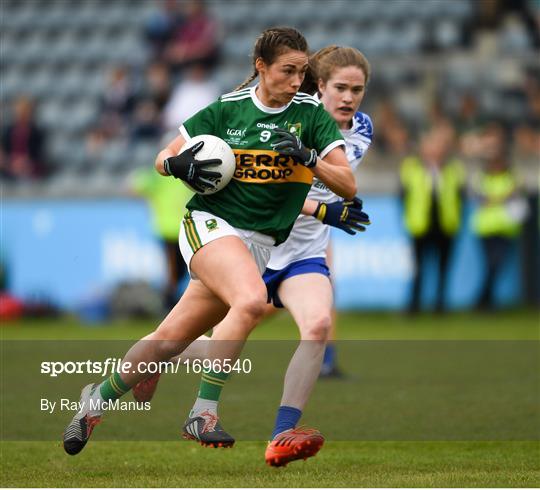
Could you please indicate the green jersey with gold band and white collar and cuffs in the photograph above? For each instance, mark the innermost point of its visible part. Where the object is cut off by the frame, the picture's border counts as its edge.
(268, 190)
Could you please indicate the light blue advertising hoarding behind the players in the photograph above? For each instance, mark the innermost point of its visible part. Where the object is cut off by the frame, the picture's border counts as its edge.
(69, 252)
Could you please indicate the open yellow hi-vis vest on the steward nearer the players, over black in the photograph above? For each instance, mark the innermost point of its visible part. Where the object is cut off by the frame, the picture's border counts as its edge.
(417, 183)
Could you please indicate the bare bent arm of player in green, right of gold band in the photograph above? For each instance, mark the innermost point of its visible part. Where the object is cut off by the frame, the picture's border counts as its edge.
(336, 173)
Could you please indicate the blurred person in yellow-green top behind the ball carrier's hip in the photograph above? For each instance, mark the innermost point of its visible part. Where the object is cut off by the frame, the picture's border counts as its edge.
(167, 199)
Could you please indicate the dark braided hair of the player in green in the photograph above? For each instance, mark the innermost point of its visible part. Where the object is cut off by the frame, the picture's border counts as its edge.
(270, 44)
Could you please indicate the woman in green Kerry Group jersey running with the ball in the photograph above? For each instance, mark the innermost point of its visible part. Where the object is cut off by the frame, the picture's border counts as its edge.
(227, 237)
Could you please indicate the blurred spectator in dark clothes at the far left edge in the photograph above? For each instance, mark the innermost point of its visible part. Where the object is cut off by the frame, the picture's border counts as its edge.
(22, 156)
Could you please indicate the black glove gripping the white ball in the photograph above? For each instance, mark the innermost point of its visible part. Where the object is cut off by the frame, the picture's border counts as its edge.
(192, 171)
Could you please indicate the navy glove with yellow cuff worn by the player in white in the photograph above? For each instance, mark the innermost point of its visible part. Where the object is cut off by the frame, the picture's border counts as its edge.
(345, 215)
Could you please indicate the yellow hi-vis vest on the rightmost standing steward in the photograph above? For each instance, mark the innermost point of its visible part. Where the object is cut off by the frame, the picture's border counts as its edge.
(493, 216)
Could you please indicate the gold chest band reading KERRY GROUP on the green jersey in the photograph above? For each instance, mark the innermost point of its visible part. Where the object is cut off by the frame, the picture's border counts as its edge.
(269, 167)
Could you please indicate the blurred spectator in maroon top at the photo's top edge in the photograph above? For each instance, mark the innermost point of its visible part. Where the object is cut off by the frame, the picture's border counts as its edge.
(195, 40)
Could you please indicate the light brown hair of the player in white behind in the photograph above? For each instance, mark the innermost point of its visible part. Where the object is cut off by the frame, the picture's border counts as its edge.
(326, 60)
